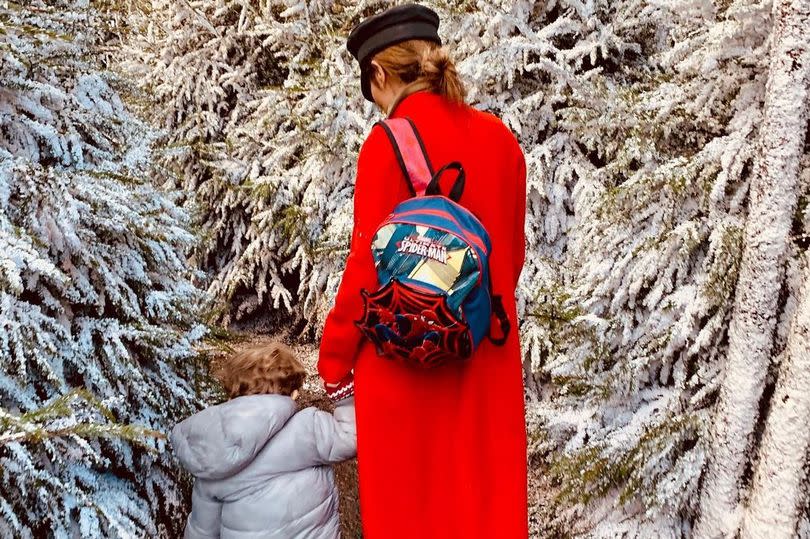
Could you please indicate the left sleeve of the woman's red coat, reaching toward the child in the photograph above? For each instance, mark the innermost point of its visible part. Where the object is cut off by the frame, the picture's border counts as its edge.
(373, 201)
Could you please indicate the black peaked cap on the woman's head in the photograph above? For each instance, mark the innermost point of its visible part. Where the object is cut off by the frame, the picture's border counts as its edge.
(392, 26)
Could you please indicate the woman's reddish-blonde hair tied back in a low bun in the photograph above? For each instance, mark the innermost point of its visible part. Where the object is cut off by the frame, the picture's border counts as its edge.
(422, 65)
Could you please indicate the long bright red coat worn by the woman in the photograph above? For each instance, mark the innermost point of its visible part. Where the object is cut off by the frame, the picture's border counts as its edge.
(441, 452)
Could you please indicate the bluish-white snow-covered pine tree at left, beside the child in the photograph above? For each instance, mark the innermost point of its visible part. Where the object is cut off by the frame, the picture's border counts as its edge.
(97, 310)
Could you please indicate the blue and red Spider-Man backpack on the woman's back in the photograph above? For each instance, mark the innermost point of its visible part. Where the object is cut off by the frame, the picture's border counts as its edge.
(435, 302)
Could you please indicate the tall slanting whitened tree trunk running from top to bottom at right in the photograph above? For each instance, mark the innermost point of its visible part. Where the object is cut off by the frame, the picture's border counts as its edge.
(773, 195)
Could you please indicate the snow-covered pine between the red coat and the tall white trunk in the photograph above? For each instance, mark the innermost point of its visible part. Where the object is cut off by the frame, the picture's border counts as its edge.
(636, 328)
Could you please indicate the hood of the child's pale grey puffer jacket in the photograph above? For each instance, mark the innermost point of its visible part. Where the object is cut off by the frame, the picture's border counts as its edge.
(220, 441)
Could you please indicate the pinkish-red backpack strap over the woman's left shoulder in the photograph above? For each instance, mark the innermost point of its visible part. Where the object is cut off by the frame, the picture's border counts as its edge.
(410, 152)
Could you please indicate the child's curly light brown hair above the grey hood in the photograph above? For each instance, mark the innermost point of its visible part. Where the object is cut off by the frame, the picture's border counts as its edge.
(266, 369)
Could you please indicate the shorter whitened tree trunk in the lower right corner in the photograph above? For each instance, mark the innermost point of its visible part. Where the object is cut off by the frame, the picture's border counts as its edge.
(777, 495)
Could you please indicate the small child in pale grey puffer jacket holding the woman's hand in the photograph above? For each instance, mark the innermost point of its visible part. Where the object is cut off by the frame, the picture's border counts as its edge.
(262, 467)
